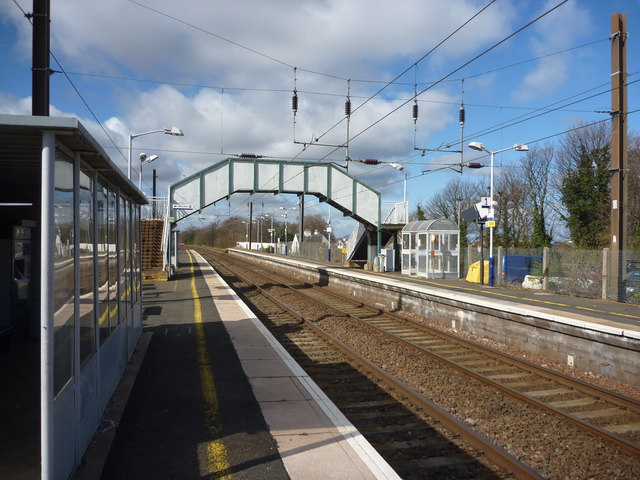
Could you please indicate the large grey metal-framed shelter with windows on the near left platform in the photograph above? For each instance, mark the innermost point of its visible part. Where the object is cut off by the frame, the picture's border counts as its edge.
(70, 297)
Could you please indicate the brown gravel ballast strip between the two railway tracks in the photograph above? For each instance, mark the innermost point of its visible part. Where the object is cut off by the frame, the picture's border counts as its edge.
(551, 446)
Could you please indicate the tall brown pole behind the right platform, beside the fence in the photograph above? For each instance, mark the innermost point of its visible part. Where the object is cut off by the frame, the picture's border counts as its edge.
(618, 154)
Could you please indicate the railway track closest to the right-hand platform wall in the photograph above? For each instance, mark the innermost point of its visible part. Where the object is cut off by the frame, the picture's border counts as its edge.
(613, 416)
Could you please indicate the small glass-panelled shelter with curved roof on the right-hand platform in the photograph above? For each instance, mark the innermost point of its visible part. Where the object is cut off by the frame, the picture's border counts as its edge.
(430, 249)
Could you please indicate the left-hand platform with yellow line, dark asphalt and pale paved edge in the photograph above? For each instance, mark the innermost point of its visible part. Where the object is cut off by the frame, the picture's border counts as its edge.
(215, 396)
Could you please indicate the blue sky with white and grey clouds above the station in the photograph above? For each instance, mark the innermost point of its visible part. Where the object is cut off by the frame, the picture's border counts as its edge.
(224, 73)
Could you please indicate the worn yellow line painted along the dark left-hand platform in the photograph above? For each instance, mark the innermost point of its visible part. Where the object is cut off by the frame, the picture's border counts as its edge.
(217, 458)
